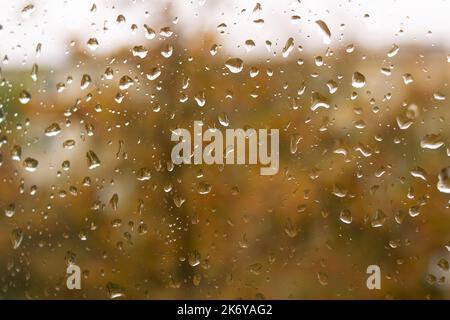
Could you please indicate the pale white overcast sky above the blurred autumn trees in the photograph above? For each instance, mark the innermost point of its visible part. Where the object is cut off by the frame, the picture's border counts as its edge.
(54, 23)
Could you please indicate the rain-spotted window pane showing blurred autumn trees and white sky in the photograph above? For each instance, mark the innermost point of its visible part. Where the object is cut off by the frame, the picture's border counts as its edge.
(89, 94)
